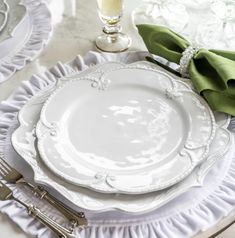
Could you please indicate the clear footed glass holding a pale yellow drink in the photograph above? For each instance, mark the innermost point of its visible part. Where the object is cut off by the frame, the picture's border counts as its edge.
(112, 39)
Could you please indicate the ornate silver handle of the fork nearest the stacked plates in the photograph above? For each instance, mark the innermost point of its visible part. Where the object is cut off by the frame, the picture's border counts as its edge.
(75, 218)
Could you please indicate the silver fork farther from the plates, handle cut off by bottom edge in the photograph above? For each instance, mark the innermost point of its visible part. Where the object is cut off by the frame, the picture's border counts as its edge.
(7, 194)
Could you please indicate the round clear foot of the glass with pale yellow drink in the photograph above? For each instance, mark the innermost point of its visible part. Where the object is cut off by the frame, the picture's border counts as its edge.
(116, 42)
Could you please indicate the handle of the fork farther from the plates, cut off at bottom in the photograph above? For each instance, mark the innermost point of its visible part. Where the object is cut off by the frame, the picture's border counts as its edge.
(54, 226)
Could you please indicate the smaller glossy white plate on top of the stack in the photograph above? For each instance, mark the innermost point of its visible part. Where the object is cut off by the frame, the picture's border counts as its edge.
(128, 130)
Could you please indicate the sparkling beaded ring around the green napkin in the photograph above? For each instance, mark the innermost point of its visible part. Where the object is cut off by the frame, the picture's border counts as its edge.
(187, 55)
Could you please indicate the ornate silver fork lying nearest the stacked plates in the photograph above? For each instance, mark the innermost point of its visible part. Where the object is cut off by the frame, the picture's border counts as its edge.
(11, 175)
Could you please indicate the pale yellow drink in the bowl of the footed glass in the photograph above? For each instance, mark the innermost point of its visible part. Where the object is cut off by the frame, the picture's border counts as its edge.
(110, 7)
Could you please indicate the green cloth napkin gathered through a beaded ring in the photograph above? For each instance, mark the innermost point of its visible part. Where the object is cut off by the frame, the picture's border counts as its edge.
(211, 71)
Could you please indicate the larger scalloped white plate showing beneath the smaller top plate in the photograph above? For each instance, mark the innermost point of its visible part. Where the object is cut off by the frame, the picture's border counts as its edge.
(24, 142)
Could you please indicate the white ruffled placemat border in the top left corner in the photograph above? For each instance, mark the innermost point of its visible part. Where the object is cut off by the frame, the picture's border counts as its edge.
(40, 18)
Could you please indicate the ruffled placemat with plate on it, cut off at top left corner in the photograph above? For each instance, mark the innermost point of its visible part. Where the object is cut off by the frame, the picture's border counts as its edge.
(23, 35)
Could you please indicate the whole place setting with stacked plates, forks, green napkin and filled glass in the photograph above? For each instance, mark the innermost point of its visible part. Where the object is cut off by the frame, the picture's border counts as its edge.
(123, 144)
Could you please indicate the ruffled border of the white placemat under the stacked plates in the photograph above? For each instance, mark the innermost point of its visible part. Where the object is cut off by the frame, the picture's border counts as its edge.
(185, 222)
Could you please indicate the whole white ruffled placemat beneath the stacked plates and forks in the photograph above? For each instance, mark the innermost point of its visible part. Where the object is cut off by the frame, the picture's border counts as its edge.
(195, 210)
